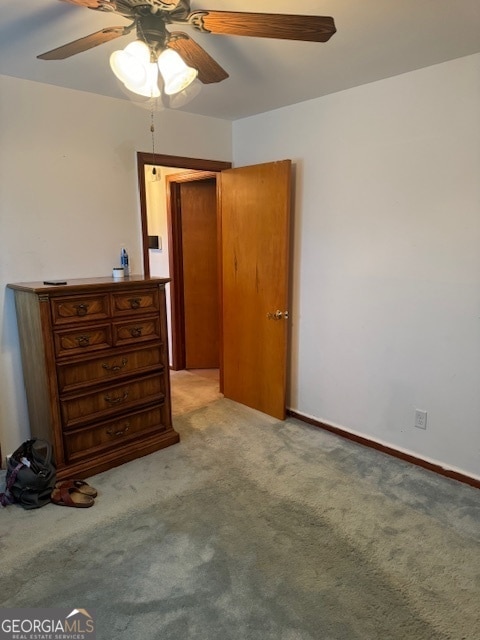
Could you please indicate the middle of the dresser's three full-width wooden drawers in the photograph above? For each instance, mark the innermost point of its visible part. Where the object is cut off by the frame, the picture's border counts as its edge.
(119, 397)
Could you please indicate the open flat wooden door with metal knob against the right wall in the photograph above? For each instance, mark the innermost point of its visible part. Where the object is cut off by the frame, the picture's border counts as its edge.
(255, 222)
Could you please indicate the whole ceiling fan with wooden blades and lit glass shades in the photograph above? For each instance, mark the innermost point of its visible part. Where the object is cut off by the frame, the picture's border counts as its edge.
(150, 18)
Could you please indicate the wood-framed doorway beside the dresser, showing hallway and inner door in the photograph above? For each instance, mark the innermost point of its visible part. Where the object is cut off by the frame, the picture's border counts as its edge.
(187, 253)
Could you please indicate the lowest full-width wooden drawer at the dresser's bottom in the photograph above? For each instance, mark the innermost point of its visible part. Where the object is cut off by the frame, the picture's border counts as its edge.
(85, 442)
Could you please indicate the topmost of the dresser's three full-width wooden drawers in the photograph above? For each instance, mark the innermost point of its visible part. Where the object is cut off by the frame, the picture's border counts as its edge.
(114, 364)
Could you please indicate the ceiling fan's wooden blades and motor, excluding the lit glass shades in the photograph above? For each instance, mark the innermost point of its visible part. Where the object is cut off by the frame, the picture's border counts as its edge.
(151, 17)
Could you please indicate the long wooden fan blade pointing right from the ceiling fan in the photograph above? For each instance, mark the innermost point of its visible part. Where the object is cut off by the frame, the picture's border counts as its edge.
(265, 25)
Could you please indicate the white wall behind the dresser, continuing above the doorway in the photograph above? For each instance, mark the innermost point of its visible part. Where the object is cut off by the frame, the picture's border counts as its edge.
(69, 197)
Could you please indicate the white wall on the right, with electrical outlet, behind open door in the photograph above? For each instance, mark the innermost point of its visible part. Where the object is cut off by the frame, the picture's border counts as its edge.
(386, 299)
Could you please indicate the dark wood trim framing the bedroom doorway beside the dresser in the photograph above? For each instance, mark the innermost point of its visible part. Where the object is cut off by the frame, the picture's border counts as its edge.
(143, 159)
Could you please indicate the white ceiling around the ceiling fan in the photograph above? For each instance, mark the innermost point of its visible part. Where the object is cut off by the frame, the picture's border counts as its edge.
(375, 39)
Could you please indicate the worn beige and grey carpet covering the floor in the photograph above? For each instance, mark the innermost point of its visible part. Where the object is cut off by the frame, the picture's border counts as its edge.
(255, 529)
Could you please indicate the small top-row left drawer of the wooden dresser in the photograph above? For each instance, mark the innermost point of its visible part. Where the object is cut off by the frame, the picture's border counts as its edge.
(85, 308)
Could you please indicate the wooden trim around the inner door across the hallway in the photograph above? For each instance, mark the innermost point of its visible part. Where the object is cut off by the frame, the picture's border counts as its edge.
(173, 183)
